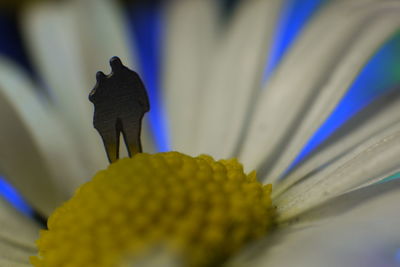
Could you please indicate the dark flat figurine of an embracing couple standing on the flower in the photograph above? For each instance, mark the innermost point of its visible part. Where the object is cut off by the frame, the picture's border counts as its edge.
(120, 102)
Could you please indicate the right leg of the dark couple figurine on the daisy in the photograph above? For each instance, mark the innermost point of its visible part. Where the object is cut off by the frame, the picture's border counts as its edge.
(131, 132)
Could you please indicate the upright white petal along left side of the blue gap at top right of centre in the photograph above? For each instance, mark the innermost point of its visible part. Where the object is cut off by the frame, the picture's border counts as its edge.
(234, 77)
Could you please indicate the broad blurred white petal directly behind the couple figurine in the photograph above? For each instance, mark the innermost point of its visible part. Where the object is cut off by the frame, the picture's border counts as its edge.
(68, 46)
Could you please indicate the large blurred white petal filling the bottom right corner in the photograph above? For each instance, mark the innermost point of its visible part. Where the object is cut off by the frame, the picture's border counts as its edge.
(364, 234)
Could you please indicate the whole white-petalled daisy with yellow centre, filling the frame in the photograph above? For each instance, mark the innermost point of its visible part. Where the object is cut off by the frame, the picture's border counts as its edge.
(229, 92)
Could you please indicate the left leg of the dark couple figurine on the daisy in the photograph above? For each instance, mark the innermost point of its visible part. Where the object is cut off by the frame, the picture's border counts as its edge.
(110, 135)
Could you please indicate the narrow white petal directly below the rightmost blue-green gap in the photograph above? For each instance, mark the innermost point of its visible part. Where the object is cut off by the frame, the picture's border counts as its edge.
(372, 120)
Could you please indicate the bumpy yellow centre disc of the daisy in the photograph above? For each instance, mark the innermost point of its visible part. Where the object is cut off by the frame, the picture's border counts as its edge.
(201, 210)
